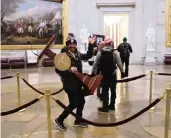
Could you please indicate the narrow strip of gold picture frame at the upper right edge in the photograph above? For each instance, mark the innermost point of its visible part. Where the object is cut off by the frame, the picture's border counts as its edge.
(168, 23)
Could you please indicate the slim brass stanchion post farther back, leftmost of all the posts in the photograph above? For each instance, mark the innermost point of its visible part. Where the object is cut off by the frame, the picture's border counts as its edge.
(18, 91)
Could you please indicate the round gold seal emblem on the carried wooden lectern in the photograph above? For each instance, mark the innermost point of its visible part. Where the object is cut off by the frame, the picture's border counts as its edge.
(62, 62)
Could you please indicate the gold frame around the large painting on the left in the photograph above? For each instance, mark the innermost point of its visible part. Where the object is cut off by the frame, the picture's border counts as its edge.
(36, 47)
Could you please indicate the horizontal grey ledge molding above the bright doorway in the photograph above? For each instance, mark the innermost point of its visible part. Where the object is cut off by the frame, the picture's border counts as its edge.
(100, 5)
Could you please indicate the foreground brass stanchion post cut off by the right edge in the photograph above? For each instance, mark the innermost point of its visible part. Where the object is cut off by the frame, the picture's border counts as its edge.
(167, 112)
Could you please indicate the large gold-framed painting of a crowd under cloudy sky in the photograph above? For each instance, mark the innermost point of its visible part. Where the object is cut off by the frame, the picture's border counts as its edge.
(29, 24)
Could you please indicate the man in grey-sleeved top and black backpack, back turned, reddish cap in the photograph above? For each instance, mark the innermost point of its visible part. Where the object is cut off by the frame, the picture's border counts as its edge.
(107, 59)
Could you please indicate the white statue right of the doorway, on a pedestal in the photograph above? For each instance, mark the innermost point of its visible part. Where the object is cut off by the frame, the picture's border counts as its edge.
(150, 38)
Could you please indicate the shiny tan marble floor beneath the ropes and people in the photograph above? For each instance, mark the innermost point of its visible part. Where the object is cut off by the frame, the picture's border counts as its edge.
(131, 98)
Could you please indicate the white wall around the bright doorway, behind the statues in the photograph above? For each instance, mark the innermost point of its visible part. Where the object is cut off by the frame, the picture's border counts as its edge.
(145, 11)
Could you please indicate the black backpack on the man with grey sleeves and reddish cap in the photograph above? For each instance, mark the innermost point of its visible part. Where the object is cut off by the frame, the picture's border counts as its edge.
(107, 63)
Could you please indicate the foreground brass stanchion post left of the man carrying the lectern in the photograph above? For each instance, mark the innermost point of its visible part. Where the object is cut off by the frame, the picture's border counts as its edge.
(48, 113)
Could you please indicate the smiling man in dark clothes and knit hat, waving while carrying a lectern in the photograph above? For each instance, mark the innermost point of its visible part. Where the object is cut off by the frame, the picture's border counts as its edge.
(72, 85)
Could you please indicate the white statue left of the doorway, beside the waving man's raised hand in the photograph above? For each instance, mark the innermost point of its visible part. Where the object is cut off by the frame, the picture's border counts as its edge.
(84, 36)
